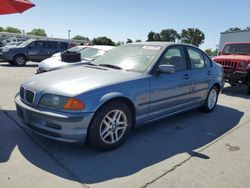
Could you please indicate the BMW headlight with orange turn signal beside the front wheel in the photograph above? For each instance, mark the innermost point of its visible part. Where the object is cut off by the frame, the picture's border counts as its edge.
(61, 102)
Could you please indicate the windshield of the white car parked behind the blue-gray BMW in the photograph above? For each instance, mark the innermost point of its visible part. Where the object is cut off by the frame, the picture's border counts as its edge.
(91, 53)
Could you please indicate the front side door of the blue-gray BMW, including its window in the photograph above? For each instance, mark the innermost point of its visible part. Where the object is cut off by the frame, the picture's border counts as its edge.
(171, 92)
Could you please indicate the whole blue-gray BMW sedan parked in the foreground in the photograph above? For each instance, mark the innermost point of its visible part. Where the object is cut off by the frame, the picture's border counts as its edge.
(100, 102)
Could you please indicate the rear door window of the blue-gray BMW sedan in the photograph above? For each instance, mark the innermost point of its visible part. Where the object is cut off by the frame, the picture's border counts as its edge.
(196, 58)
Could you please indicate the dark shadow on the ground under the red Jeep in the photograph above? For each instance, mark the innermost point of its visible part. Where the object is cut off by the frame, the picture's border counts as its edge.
(236, 91)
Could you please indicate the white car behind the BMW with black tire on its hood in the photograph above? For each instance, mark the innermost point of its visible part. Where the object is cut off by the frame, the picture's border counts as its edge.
(87, 54)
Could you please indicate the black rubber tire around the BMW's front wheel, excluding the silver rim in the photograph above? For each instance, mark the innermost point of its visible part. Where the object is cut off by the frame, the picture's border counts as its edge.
(94, 138)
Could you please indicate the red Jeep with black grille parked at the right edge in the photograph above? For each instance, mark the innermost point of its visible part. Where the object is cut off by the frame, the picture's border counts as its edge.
(235, 59)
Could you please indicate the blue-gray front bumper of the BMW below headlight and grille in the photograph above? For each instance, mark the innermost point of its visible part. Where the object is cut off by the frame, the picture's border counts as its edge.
(66, 127)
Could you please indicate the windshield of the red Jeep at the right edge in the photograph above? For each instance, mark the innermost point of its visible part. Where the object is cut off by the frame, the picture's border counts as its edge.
(237, 49)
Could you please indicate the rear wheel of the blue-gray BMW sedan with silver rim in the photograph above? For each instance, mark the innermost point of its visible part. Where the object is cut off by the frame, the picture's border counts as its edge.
(211, 100)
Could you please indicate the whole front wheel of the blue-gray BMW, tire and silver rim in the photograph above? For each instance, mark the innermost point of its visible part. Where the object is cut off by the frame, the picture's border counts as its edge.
(110, 126)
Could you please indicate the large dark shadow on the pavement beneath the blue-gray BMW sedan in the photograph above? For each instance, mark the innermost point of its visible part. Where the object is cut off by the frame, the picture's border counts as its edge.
(146, 146)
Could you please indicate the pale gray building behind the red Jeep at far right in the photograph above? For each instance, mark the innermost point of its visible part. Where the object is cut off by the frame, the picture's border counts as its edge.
(234, 36)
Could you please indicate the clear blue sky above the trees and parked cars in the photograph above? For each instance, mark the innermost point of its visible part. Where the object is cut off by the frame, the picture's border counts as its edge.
(122, 19)
